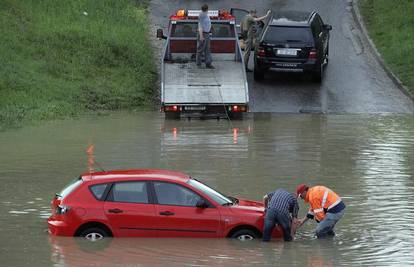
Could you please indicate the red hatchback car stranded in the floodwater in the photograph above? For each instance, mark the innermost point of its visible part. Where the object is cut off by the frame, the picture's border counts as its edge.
(151, 203)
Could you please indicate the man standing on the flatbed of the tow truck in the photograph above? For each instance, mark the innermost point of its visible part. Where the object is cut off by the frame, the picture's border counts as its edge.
(203, 41)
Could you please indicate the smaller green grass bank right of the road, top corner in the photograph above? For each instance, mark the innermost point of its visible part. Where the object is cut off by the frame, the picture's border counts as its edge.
(391, 26)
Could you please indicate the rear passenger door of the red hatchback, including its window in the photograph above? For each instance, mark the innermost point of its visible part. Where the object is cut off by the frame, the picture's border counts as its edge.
(129, 211)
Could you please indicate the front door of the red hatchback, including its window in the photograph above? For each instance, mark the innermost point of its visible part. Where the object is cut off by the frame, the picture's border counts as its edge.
(178, 215)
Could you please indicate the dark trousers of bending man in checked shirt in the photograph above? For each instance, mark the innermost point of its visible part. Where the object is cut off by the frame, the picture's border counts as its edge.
(274, 217)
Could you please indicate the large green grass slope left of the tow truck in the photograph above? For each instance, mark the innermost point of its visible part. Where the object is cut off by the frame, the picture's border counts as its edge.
(65, 58)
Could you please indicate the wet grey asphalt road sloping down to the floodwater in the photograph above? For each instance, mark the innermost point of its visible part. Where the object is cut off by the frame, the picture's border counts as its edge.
(354, 81)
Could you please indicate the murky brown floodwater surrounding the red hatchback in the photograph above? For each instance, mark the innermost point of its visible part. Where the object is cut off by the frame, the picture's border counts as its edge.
(368, 160)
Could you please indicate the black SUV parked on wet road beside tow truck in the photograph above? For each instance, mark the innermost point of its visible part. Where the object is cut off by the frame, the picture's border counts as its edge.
(292, 41)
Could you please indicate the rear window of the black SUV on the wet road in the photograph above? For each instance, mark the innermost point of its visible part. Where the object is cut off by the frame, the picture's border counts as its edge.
(283, 34)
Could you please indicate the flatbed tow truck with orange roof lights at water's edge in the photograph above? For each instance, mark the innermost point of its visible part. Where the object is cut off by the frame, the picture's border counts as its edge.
(190, 91)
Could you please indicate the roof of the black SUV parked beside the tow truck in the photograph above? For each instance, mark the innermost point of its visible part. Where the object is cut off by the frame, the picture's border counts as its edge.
(291, 18)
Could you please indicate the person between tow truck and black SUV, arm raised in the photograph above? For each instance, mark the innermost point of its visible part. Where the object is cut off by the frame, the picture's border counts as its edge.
(248, 33)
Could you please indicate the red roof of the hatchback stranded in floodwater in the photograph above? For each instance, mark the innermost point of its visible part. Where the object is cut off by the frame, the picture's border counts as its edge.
(147, 174)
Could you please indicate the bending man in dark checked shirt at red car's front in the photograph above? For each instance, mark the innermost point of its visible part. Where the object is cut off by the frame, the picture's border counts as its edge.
(282, 209)
